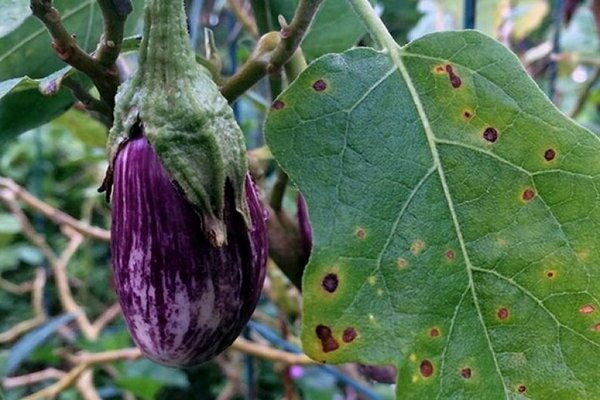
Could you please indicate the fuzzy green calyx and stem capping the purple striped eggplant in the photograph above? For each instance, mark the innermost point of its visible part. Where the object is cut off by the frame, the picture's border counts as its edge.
(184, 116)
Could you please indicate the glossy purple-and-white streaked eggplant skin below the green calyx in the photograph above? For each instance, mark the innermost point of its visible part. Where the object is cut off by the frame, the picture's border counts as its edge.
(184, 300)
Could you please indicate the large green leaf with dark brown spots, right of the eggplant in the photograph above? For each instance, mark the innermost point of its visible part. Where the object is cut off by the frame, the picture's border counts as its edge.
(456, 219)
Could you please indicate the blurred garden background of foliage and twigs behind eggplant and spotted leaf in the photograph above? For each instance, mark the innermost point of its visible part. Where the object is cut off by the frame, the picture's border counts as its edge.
(57, 301)
